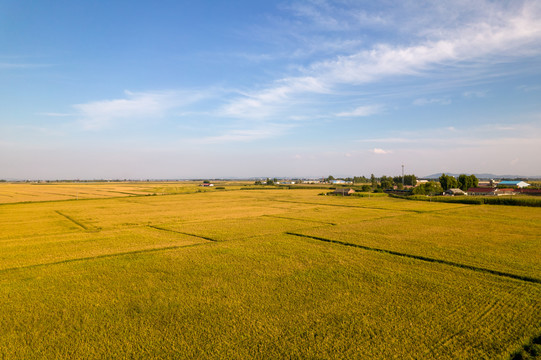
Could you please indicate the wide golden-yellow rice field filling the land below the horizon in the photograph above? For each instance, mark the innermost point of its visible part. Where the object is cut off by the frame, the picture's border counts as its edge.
(103, 271)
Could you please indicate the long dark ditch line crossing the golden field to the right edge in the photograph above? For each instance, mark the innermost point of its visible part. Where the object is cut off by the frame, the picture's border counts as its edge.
(424, 258)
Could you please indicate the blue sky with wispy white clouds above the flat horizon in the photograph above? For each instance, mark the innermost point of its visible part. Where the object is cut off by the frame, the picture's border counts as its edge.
(251, 88)
